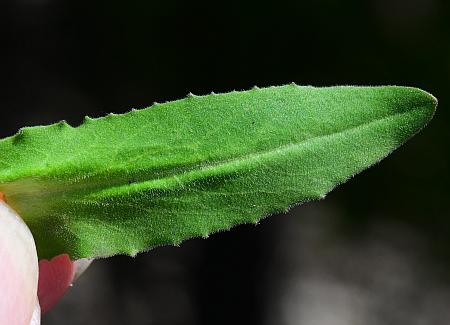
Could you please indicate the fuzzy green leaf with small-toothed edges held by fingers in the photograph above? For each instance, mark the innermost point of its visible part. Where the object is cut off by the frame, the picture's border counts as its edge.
(127, 183)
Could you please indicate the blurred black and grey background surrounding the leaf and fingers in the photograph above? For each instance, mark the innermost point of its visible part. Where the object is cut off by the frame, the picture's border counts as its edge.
(375, 251)
